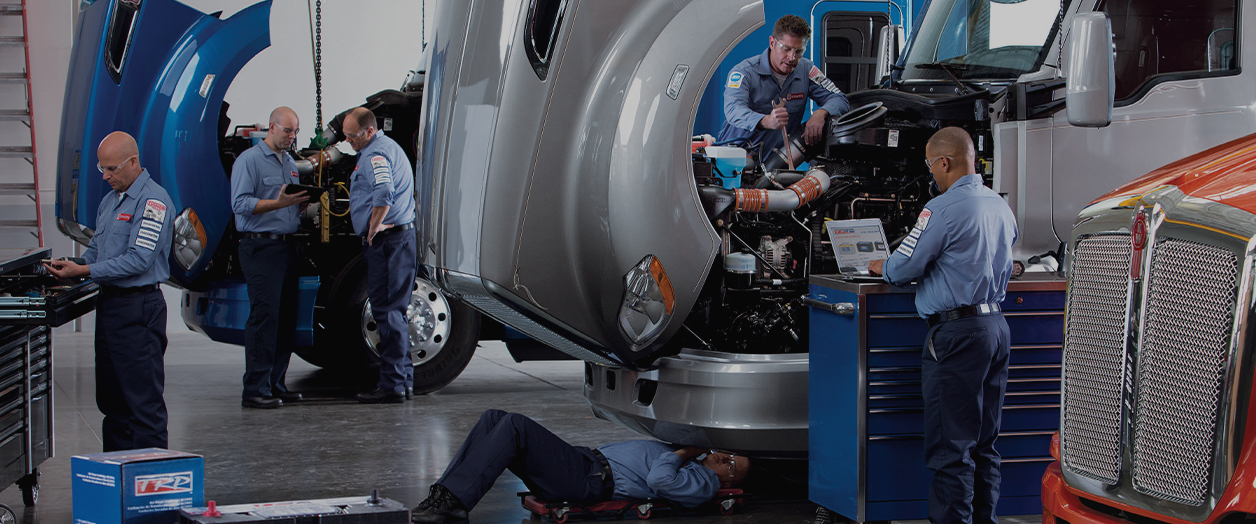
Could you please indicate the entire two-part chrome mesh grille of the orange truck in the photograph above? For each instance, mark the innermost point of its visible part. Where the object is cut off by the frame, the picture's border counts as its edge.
(1164, 403)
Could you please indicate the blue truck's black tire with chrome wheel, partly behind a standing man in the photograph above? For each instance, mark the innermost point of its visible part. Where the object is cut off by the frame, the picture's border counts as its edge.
(444, 332)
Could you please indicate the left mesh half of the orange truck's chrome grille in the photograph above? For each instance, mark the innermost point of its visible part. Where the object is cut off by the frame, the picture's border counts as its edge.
(1095, 341)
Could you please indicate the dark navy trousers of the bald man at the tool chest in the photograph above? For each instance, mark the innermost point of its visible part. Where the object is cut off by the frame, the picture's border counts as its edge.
(131, 370)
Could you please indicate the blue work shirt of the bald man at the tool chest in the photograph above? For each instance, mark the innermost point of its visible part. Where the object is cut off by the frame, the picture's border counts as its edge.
(131, 246)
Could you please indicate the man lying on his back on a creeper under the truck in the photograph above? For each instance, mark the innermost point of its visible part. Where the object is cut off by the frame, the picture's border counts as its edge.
(560, 472)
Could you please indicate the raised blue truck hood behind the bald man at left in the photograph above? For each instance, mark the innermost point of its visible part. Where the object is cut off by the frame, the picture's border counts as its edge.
(159, 71)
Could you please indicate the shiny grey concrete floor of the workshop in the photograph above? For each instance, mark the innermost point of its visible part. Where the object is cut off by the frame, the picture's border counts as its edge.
(333, 447)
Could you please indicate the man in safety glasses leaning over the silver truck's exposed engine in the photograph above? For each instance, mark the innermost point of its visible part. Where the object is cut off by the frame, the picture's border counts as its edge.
(781, 72)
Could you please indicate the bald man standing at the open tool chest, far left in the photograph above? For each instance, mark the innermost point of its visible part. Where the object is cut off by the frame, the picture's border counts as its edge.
(129, 257)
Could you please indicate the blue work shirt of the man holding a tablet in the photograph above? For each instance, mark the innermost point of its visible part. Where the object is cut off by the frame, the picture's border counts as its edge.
(258, 175)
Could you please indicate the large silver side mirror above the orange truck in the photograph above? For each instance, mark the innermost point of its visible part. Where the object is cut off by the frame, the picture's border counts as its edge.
(1091, 84)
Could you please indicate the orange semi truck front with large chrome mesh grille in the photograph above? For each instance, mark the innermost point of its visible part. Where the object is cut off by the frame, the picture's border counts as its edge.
(1157, 417)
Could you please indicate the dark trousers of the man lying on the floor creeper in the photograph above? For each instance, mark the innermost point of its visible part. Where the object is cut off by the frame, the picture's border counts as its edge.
(551, 468)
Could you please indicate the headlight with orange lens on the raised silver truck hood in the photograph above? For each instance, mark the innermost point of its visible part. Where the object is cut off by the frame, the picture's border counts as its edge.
(649, 302)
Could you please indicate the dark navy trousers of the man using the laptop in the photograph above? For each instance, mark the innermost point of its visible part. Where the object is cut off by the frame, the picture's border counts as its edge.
(964, 390)
